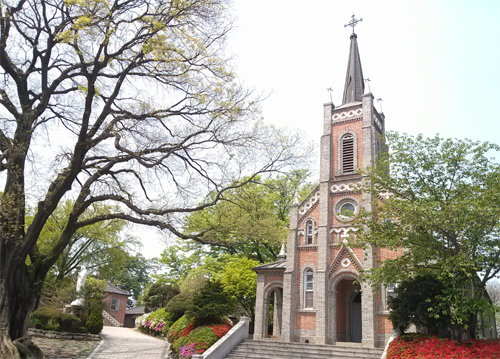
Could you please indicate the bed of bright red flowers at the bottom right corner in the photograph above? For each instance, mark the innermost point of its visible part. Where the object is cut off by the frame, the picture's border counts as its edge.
(424, 347)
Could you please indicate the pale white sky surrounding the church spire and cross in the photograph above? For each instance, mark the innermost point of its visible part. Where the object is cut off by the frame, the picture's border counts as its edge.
(434, 63)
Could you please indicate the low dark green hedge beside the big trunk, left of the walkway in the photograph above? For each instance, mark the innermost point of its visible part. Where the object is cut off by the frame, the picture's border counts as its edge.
(50, 318)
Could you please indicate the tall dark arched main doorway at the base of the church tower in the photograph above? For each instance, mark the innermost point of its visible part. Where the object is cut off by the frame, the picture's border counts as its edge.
(348, 311)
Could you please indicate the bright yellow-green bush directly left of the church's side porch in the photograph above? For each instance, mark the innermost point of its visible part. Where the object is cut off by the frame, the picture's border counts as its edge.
(240, 281)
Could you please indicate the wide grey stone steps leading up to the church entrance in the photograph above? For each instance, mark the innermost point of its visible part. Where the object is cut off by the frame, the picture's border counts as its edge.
(257, 349)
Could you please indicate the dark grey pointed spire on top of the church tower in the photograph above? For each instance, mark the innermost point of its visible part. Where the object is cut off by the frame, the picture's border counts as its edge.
(354, 83)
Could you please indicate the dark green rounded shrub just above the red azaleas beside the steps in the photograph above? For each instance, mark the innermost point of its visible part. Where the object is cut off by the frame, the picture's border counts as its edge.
(211, 304)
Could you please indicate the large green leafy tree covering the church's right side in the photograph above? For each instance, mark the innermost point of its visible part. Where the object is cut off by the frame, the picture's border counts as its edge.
(441, 206)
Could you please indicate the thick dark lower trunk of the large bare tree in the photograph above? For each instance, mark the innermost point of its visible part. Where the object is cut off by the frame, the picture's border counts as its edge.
(17, 298)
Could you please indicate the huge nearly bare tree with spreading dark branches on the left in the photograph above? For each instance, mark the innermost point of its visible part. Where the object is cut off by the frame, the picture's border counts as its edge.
(123, 102)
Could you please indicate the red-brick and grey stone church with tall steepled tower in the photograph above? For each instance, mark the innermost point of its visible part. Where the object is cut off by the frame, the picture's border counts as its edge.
(313, 289)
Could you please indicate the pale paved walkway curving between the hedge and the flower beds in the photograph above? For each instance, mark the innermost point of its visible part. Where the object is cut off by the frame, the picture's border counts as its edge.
(125, 343)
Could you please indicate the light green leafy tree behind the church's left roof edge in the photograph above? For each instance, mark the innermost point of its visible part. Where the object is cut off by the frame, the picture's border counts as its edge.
(251, 220)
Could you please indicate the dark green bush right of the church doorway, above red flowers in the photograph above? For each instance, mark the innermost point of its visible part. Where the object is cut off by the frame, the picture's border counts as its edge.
(413, 303)
